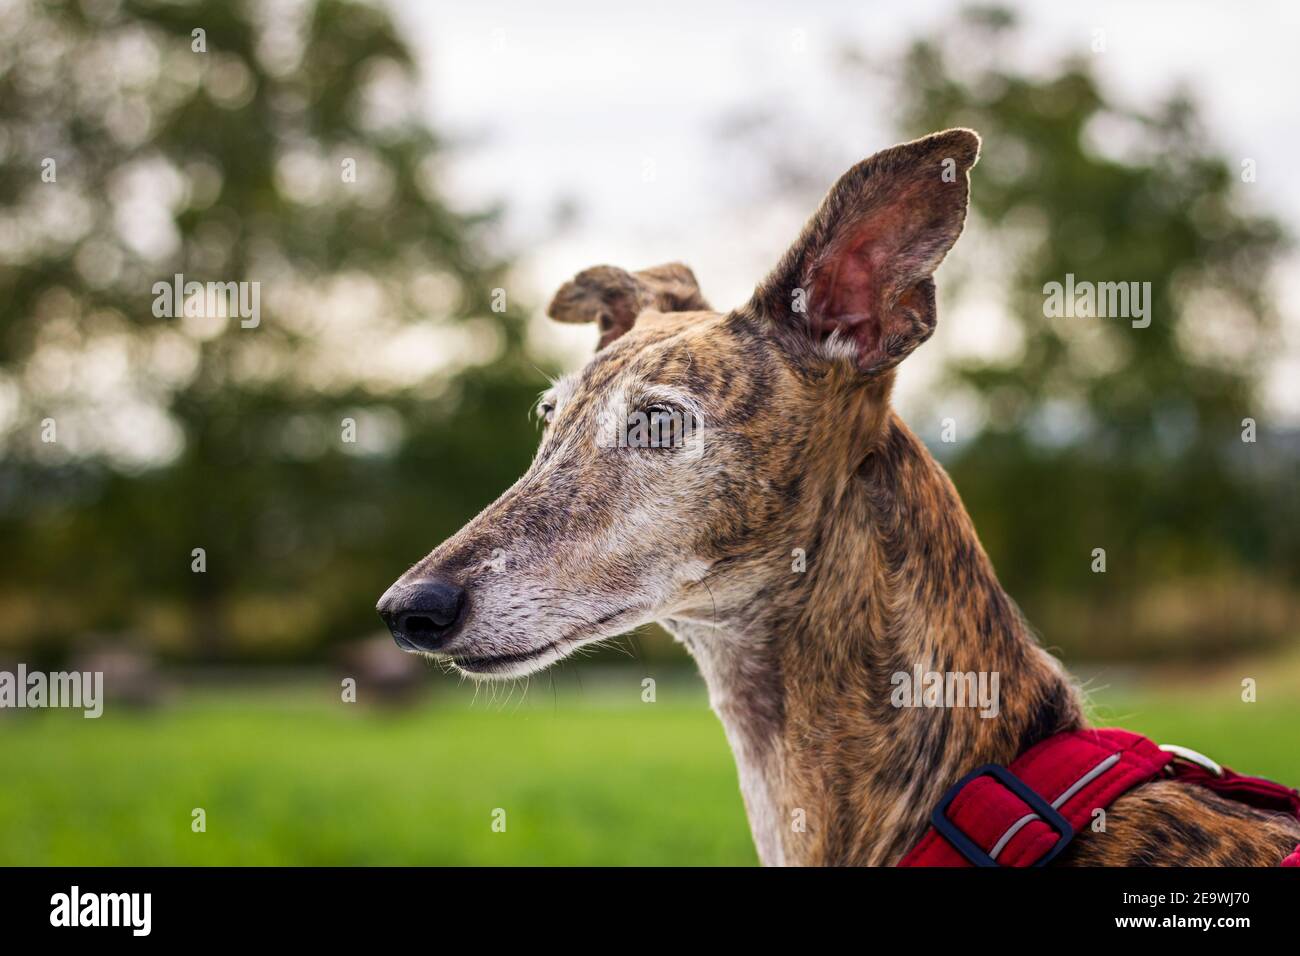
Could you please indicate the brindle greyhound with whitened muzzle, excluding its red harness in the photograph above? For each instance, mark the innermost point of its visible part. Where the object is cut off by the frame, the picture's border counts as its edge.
(782, 442)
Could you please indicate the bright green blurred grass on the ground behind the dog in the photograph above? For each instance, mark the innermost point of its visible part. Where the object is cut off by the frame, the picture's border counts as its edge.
(294, 777)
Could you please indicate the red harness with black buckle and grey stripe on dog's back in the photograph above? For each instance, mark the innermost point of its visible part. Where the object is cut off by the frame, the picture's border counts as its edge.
(1028, 814)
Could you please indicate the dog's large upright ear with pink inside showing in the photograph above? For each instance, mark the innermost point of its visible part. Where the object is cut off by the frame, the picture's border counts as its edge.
(863, 267)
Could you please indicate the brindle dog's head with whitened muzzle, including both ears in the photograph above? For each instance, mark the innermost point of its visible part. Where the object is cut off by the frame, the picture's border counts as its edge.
(681, 468)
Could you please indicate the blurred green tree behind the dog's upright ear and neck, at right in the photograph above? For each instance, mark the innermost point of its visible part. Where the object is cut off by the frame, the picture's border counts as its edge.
(1102, 434)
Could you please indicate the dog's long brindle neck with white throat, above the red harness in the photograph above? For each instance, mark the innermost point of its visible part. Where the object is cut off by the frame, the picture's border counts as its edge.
(803, 678)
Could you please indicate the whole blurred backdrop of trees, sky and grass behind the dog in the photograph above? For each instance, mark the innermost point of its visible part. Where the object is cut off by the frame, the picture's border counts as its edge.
(409, 184)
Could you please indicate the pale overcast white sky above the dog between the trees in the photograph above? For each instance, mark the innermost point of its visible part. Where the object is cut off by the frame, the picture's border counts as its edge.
(617, 109)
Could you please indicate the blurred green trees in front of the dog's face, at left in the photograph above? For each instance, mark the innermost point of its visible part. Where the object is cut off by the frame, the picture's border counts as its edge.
(280, 145)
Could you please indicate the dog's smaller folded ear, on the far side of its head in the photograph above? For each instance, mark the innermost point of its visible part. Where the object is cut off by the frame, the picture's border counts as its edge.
(613, 299)
